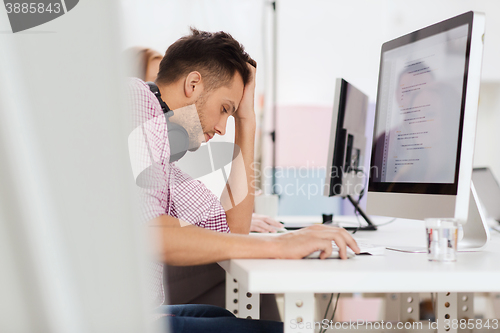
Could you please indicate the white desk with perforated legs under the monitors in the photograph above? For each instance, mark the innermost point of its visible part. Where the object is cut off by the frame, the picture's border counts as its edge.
(393, 273)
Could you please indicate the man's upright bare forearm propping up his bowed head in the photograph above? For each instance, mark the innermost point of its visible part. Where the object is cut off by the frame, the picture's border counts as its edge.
(238, 196)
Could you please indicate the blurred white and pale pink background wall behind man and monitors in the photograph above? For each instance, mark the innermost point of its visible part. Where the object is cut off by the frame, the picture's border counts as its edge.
(318, 41)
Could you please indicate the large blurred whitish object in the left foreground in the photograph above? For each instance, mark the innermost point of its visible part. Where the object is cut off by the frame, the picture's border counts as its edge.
(71, 256)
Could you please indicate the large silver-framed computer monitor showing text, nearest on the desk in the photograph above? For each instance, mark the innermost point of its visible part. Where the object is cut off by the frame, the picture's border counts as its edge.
(425, 124)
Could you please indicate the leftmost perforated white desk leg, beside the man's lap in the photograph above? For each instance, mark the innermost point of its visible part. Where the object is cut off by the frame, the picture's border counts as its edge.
(239, 301)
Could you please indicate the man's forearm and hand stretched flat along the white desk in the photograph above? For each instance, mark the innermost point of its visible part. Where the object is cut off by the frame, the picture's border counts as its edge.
(192, 245)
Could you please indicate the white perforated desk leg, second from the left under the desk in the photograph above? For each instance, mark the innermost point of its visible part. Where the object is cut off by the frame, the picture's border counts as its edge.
(299, 313)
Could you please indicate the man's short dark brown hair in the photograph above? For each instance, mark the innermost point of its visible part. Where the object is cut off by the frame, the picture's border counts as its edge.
(217, 56)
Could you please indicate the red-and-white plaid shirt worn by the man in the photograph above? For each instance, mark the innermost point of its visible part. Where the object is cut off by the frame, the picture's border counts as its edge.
(165, 189)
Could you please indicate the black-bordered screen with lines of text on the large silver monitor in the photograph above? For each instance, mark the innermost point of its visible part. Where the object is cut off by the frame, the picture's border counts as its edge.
(420, 111)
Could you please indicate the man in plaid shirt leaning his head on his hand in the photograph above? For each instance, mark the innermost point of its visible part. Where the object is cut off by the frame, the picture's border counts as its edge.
(212, 75)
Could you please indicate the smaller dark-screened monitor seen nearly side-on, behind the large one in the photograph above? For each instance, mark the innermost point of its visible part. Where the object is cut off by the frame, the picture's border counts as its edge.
(345, 176)
